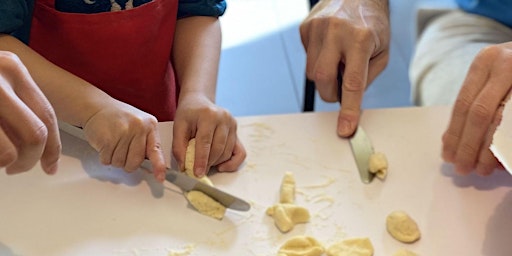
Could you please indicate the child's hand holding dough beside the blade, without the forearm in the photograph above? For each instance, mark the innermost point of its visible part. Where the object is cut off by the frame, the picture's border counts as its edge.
(215, 131)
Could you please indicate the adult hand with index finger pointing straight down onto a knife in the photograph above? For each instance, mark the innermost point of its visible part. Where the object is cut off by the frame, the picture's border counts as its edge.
(349, 36)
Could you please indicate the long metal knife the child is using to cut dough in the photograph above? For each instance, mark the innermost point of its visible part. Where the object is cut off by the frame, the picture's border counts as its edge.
(179, 179)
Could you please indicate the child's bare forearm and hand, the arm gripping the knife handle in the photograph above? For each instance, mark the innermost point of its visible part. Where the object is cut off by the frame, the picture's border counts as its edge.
(122, 134)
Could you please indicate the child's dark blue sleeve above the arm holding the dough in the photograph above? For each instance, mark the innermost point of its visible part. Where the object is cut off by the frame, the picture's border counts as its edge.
(213, 8)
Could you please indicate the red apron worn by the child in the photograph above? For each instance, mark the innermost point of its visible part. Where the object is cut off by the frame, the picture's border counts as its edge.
(124, 53)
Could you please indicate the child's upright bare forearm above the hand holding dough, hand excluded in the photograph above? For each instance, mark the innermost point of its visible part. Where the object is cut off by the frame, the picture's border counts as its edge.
(196, 54)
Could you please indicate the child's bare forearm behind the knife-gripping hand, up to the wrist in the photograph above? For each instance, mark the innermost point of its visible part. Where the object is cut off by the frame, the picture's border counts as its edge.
(73, 99)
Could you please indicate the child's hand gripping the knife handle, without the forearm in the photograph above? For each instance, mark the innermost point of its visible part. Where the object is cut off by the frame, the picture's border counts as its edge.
(124, 136)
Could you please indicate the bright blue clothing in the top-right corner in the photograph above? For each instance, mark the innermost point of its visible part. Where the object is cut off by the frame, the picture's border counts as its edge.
(499, 10)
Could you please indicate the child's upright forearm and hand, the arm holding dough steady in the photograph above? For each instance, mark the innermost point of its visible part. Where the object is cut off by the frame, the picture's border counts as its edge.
(196, 54)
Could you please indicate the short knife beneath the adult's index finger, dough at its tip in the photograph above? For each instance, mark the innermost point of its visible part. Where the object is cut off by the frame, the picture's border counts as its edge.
(360, 144)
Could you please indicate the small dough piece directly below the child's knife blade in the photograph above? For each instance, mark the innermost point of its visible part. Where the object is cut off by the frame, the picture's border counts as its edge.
(205, 204)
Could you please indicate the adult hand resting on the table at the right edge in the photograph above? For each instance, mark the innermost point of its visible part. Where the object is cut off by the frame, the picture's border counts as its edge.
(478, 111)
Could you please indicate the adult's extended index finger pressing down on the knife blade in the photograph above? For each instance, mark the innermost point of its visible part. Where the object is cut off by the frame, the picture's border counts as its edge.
(354, 84)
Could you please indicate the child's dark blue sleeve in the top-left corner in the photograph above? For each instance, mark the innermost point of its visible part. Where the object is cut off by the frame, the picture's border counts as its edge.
(16, 17)
